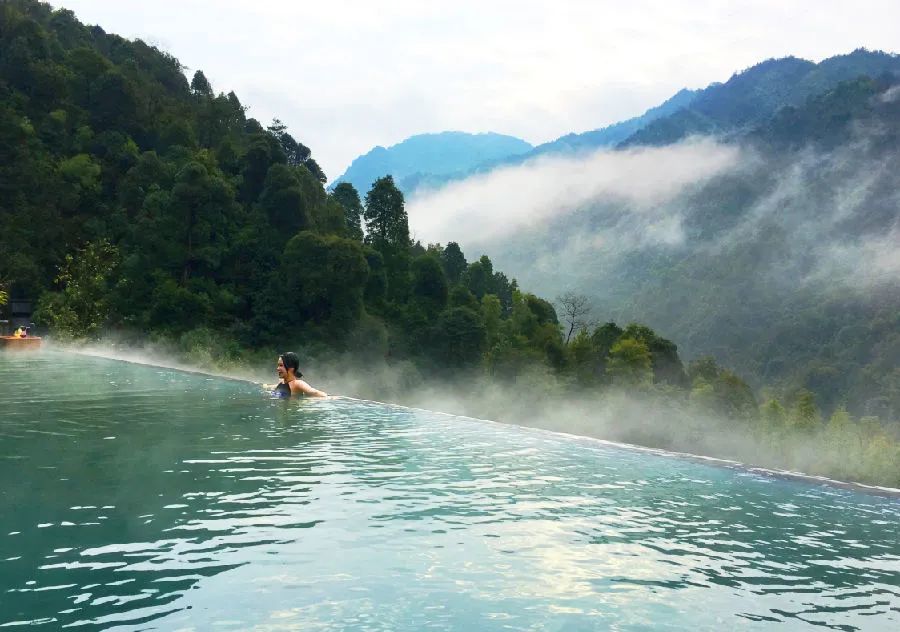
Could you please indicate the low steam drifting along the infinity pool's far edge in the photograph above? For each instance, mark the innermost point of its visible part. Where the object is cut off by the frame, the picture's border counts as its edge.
(537, 399)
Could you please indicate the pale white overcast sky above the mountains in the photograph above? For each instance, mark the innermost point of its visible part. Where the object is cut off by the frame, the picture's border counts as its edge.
(348, 75)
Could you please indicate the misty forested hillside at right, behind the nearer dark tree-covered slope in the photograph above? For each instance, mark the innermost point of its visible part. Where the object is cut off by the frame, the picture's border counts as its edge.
(784, 265)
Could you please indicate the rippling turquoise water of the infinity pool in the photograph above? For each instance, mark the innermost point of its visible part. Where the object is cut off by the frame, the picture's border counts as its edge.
(138, 498)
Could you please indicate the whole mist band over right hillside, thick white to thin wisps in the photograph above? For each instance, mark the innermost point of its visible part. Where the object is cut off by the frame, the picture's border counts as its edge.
(814, 216)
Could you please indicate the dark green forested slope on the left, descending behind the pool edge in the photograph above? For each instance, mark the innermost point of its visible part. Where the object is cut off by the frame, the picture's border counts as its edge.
(138, 205)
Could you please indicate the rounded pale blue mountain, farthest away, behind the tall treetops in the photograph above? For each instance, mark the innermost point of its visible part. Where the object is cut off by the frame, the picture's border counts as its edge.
(425, 156)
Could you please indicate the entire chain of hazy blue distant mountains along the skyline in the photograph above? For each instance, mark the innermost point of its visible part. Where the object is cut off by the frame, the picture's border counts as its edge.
(747, 99)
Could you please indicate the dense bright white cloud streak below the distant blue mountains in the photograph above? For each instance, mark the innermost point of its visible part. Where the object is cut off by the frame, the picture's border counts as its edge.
(643, 180)
